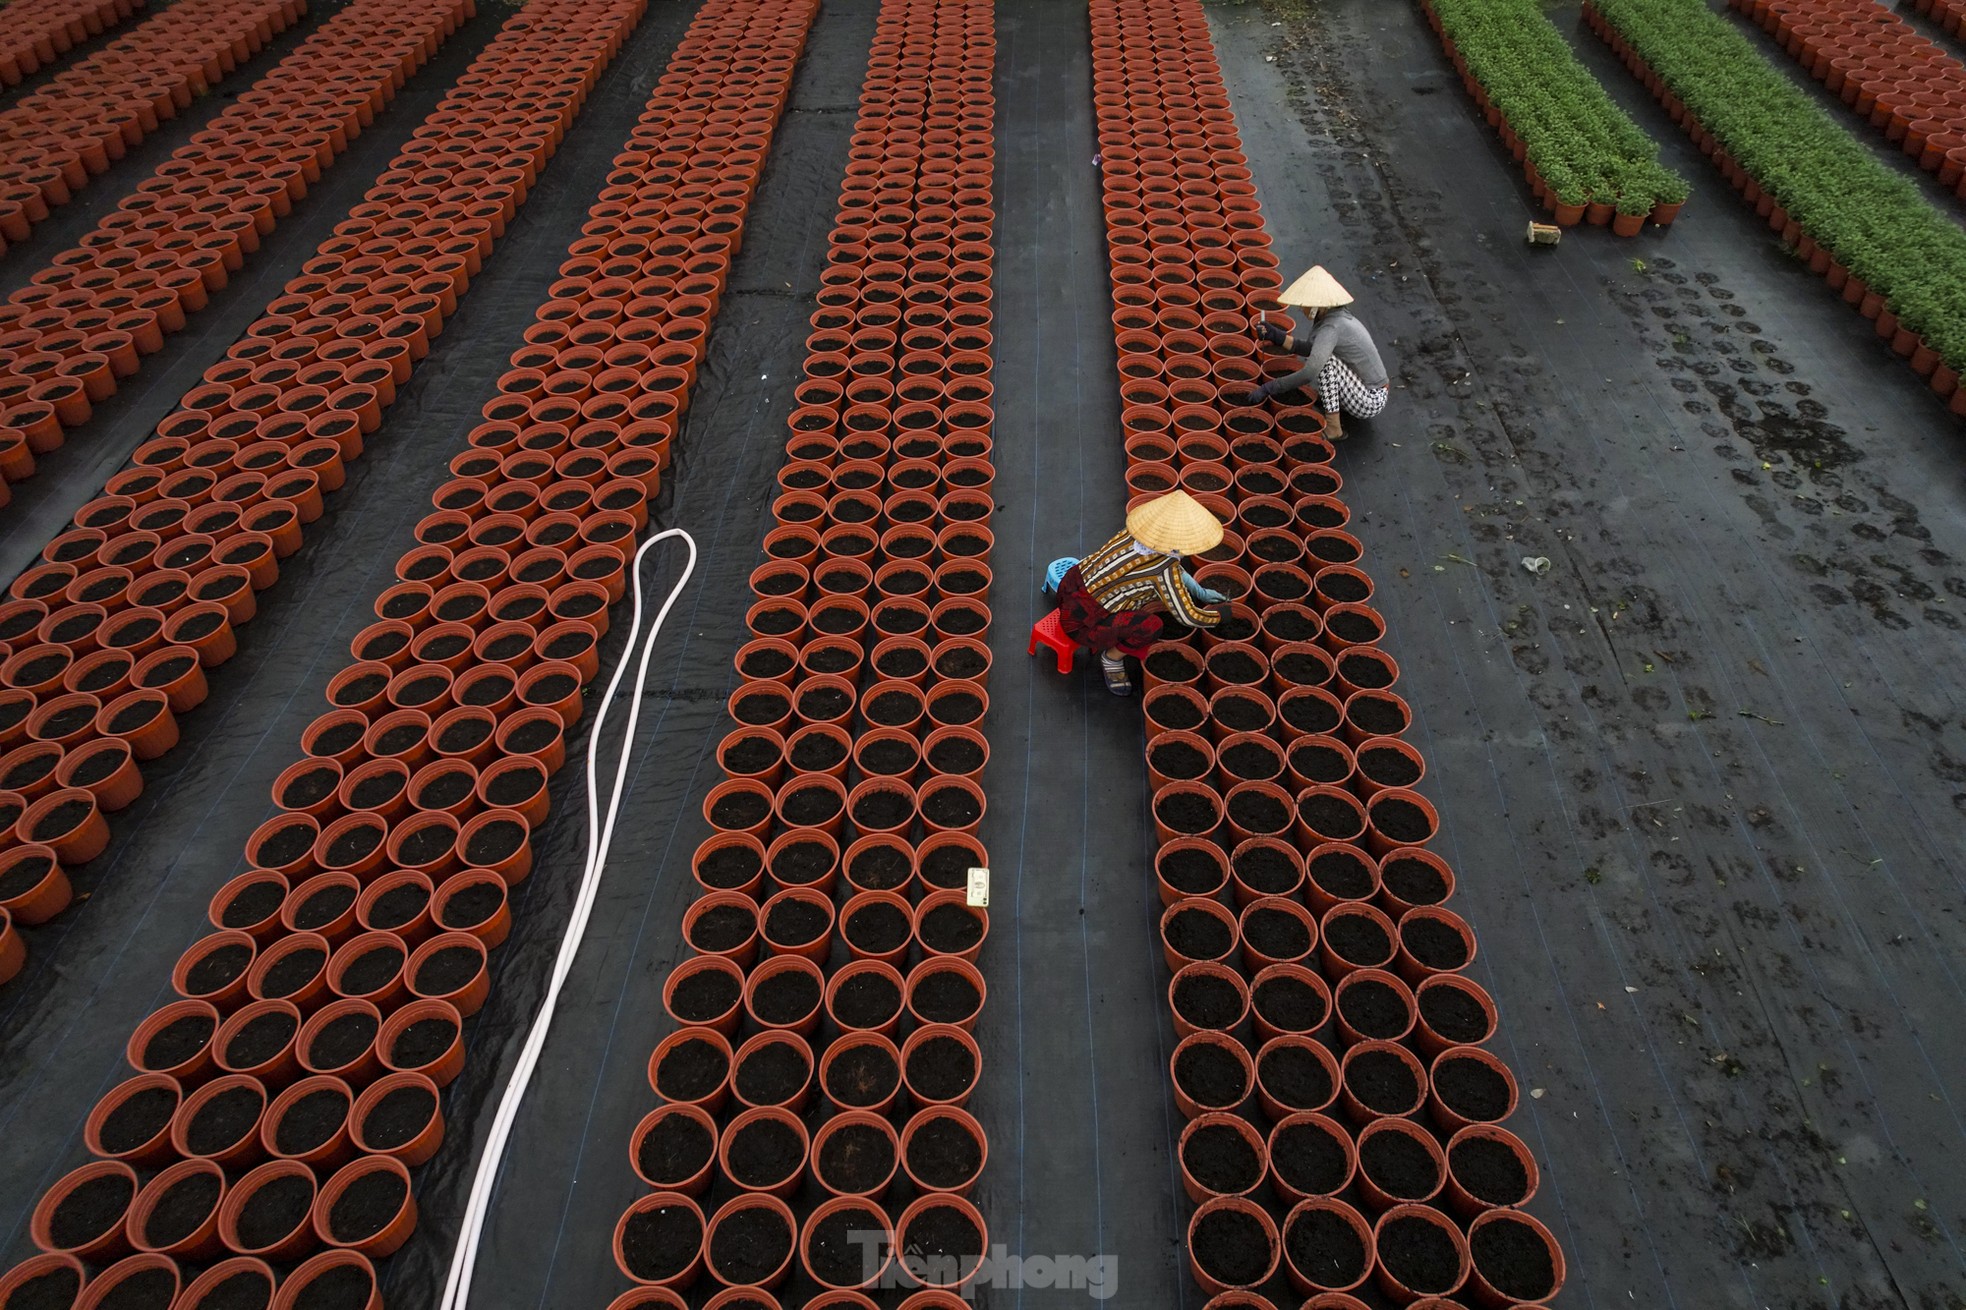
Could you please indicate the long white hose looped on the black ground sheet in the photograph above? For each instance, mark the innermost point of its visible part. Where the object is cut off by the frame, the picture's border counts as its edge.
(601, 837)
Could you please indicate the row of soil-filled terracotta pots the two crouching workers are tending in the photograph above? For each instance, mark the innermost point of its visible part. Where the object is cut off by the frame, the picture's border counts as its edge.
(1293, 691)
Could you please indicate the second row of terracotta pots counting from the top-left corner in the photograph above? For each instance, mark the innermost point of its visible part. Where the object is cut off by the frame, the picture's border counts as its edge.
(89, 115)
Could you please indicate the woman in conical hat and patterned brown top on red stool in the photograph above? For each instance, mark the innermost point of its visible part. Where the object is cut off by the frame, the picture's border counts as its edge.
(1114, 599)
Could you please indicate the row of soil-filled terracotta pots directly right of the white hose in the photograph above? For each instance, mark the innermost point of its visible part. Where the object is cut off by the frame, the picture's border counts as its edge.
(844, 827)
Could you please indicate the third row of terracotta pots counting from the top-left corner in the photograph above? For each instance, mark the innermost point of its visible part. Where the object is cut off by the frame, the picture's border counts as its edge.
(80, 326)
